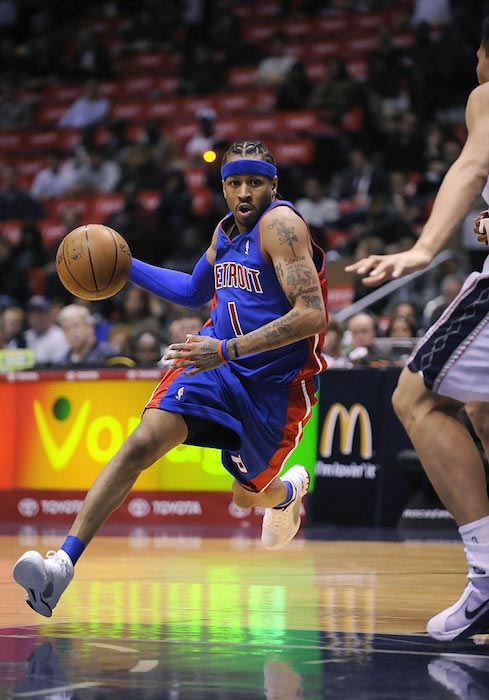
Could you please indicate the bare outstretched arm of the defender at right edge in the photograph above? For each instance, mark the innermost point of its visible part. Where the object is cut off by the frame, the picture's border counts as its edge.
(458, 192)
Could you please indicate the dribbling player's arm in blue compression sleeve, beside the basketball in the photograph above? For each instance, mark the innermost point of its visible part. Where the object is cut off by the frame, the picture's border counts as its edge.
(190, 290)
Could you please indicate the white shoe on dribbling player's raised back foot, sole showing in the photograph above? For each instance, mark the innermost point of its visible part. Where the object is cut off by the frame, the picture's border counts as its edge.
(280, 525)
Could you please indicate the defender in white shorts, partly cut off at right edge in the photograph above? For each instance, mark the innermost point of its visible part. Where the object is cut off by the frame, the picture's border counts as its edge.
(449, 367)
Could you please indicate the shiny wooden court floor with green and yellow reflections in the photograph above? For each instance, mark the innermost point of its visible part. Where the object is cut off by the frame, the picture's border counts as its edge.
(173, 615)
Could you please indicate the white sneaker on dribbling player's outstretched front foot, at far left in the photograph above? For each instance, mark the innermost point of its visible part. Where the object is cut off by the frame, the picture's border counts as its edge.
(43, 579)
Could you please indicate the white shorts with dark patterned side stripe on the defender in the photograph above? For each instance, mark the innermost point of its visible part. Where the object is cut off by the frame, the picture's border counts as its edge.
(453, 356)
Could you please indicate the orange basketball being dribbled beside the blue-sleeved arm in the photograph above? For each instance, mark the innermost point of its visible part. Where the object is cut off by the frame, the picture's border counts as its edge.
(93, 262)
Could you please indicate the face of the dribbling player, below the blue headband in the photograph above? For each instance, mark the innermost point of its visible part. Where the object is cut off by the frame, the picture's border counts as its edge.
(247, 197)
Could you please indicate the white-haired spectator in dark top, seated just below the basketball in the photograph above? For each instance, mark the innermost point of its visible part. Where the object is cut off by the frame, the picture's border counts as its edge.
(78, 327)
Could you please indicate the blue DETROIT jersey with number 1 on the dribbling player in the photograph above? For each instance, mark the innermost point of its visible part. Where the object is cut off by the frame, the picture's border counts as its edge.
(248, 295)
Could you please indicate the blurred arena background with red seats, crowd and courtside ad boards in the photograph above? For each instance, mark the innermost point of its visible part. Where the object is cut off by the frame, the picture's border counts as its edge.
(115, 112)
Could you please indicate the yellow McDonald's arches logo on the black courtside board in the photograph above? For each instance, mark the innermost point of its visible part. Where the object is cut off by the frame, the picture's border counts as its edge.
(348, 421)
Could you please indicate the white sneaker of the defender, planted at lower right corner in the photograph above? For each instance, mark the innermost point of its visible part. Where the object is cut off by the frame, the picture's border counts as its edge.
(468, 616)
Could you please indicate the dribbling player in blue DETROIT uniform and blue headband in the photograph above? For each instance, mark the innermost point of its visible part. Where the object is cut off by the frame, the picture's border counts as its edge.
(245, 384)
